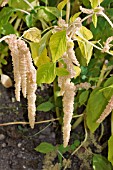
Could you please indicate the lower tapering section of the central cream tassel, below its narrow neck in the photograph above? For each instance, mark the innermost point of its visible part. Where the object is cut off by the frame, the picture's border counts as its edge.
(68, 107)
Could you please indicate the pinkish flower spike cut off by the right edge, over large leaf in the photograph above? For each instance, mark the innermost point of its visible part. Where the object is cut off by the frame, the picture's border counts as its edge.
(107, 111)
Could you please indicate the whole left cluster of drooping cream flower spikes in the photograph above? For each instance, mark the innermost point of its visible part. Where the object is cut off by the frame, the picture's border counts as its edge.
(24, 73)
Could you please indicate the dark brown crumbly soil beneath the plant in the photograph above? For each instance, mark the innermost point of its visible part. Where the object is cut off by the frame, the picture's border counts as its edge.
(17, 142)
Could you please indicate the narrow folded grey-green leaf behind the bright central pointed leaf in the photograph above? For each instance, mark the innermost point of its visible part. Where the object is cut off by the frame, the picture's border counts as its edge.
(43, 42)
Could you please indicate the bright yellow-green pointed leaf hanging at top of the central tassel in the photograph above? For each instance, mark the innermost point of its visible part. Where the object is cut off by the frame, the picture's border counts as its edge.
(58, 45)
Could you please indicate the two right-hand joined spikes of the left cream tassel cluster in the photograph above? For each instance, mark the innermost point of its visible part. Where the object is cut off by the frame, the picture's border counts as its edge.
(28, 74)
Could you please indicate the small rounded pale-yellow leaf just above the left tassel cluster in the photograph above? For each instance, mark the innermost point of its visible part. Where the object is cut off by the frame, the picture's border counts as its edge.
(33, 34)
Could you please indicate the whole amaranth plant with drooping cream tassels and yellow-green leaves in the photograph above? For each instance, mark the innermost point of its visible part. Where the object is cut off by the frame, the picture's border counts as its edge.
(60, 53)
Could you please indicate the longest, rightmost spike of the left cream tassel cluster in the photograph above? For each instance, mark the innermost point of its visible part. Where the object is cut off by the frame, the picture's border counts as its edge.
(31, 81)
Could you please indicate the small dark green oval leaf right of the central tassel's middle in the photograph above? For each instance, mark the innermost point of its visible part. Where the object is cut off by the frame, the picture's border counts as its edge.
(83, 97)
